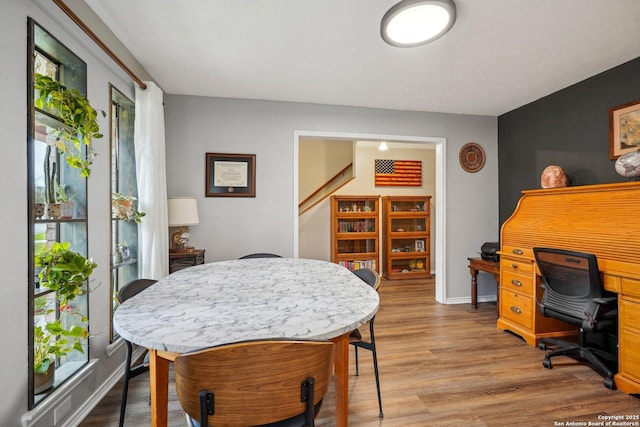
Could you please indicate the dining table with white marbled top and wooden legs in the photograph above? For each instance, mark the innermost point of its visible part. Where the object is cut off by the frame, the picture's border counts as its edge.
(230, 301)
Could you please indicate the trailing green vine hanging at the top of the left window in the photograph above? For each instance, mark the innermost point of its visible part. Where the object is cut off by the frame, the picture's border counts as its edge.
(78, 116)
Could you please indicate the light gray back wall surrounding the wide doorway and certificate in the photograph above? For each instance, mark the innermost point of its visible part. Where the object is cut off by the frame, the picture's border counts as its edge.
(231, 227)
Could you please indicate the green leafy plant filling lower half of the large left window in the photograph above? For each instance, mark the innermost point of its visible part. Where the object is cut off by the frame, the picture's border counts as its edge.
(65, 272)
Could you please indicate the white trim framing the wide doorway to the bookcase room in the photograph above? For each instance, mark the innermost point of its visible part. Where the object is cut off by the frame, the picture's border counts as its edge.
(434, 143)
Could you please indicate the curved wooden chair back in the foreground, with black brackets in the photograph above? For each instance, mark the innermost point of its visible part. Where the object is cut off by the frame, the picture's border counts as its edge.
(255, 382)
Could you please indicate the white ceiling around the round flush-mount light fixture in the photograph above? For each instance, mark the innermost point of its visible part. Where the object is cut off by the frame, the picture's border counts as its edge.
(500, 54)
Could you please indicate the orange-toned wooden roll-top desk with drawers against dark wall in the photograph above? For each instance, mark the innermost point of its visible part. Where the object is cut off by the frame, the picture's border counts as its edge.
(599, 219)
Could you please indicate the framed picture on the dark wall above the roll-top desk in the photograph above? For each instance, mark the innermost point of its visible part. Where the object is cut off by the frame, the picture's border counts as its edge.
(624, 129)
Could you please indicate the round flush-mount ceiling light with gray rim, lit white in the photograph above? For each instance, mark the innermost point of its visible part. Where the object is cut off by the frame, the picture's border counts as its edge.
(416, 22)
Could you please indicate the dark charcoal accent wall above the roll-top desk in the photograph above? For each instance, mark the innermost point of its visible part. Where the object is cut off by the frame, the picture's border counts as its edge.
(569, 128)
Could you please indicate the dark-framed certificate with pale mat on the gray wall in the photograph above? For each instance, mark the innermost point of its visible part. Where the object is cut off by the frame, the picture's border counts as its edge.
(230, 175)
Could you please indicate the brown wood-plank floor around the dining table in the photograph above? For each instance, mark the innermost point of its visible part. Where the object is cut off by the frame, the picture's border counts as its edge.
(440, 365)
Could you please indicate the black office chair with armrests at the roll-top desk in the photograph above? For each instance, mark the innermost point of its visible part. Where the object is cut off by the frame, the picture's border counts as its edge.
(573, 293)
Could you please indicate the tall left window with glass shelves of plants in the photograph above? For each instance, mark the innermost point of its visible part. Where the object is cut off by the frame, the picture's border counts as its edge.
(58, 332)
